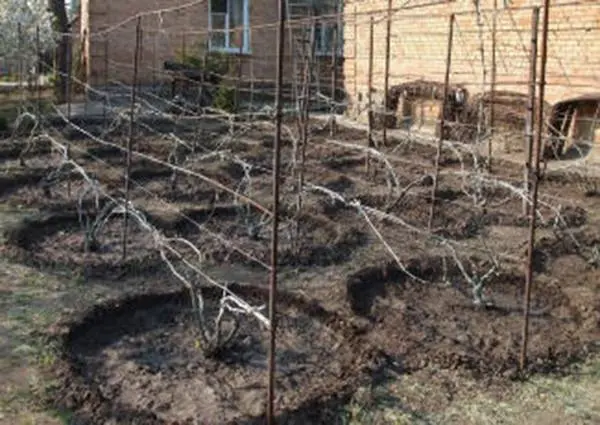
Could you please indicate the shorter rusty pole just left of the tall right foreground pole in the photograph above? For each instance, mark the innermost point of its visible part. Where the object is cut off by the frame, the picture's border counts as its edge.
(529, 130)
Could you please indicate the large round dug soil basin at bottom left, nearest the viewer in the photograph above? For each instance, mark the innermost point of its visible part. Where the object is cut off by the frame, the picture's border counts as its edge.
(139, 358)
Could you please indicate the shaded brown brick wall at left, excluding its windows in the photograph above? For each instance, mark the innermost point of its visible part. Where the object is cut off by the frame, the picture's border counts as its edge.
(111, 25)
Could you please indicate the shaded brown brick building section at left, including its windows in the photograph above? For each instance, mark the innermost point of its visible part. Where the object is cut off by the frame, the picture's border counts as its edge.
(245, 30)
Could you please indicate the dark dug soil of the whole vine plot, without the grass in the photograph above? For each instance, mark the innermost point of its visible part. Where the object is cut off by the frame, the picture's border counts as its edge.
(136, 361)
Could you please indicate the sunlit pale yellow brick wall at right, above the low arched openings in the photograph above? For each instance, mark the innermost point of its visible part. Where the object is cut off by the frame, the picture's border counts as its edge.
(419, 43)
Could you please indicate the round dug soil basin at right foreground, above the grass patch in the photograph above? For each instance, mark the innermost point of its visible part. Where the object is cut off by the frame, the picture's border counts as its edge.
(421, 324)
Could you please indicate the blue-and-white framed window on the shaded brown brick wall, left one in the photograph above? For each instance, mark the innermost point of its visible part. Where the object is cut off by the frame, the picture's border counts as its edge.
(229, 24)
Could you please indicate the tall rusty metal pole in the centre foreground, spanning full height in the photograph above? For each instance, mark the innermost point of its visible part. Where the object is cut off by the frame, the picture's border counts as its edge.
(275, 230)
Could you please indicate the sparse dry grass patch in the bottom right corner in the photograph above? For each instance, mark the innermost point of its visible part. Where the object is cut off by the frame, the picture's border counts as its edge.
(444, 398)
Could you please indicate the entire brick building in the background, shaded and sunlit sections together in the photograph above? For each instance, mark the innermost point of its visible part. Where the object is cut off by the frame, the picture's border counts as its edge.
(246, 31)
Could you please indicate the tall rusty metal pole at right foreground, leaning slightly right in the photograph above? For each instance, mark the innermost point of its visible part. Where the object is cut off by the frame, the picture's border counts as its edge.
(535, 188)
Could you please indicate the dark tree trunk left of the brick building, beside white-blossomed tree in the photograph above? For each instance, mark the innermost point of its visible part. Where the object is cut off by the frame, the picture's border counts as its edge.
(61, 26)
